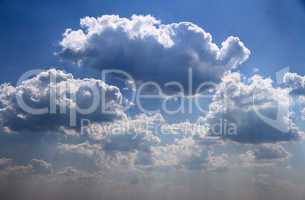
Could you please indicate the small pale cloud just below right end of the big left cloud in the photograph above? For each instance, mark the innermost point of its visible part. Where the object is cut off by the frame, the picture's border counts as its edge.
(139, 132)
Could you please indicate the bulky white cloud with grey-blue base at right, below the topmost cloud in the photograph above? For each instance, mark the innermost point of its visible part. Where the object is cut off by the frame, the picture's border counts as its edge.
(251, 110)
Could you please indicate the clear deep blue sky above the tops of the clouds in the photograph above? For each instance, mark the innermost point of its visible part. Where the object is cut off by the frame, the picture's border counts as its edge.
(274, 30)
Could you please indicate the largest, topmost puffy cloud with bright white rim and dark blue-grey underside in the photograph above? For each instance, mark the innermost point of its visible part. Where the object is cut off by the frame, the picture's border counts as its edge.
(150, 50)
